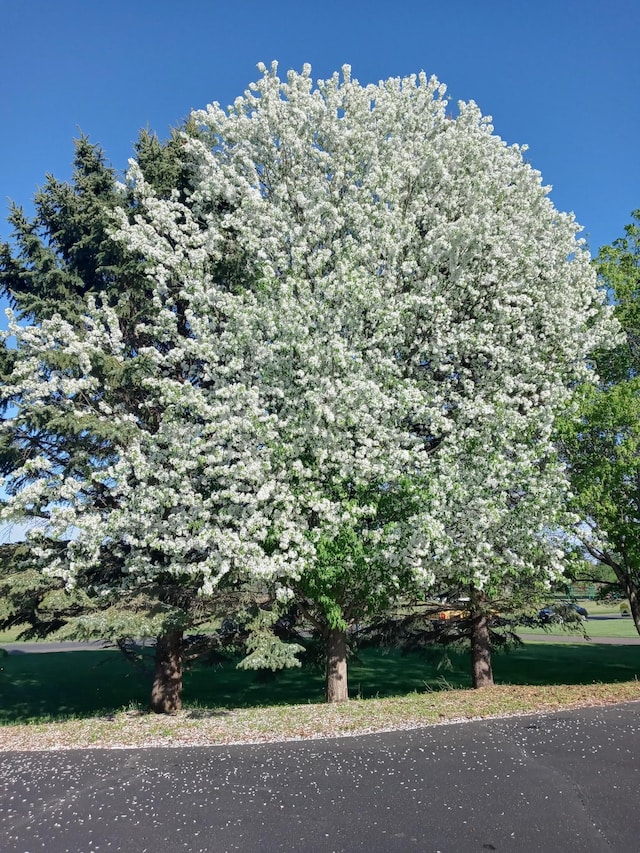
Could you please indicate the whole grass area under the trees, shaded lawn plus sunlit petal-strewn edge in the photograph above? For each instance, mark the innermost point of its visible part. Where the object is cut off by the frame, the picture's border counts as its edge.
(80, 700)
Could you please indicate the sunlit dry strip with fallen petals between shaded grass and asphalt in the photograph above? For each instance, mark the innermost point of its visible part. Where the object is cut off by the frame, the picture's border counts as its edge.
(210, 727)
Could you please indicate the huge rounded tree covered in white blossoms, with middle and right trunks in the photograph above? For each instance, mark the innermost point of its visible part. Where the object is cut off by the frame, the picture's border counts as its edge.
(368, 314)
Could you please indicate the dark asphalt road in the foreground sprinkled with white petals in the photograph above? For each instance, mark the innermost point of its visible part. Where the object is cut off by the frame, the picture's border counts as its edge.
(560, 783)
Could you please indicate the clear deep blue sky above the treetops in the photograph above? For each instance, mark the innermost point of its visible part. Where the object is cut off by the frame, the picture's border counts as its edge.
(560, 75)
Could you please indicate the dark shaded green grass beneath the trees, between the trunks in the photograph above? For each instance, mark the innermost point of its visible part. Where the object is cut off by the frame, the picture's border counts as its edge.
(41, 687)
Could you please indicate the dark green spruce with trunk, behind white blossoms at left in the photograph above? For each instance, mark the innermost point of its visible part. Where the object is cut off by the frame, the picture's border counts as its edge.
(55, 264)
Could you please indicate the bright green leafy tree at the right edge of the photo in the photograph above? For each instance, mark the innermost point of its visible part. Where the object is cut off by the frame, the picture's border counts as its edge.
(602, 443)
